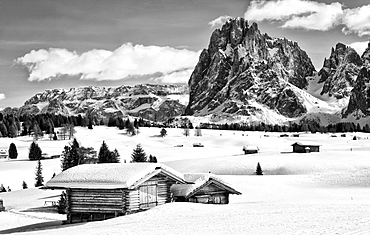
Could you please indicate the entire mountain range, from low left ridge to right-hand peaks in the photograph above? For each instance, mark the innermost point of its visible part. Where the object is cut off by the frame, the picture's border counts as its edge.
(243, 76)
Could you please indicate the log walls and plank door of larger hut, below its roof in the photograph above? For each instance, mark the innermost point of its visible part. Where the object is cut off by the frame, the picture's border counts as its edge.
(99, 204)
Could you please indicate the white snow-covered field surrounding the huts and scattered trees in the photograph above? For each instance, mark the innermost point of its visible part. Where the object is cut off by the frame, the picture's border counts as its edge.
(316, 193)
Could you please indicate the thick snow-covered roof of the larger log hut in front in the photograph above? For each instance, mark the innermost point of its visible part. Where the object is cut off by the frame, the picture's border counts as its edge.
(111, 175)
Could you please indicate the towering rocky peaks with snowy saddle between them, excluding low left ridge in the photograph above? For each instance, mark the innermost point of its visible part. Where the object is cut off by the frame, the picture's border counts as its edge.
(245, 75)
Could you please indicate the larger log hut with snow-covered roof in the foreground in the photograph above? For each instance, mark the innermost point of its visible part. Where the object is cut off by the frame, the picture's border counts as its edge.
(102, 191)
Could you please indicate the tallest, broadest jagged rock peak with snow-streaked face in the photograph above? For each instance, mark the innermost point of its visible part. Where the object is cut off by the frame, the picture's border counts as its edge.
(244, 71)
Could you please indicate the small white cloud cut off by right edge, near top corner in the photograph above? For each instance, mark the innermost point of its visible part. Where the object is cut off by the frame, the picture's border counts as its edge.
(357, 20)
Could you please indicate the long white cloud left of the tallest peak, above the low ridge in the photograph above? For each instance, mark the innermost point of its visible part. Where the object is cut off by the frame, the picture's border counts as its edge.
(126, 61)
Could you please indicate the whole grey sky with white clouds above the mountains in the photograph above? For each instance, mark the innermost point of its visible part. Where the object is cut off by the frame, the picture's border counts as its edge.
(46, 44)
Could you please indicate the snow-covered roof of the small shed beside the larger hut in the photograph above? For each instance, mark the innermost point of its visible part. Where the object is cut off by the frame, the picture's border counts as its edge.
(199, 180)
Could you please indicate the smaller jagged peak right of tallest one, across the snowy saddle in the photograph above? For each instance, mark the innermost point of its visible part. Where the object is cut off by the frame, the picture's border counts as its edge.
(340, 71)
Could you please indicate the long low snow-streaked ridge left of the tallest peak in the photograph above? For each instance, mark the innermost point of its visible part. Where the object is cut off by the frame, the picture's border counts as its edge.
(153, 102)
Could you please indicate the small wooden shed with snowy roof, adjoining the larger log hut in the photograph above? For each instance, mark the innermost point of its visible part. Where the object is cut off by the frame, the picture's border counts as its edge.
(203, 188)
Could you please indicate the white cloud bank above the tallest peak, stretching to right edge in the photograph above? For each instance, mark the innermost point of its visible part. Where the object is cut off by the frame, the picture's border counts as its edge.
(311, 15)
